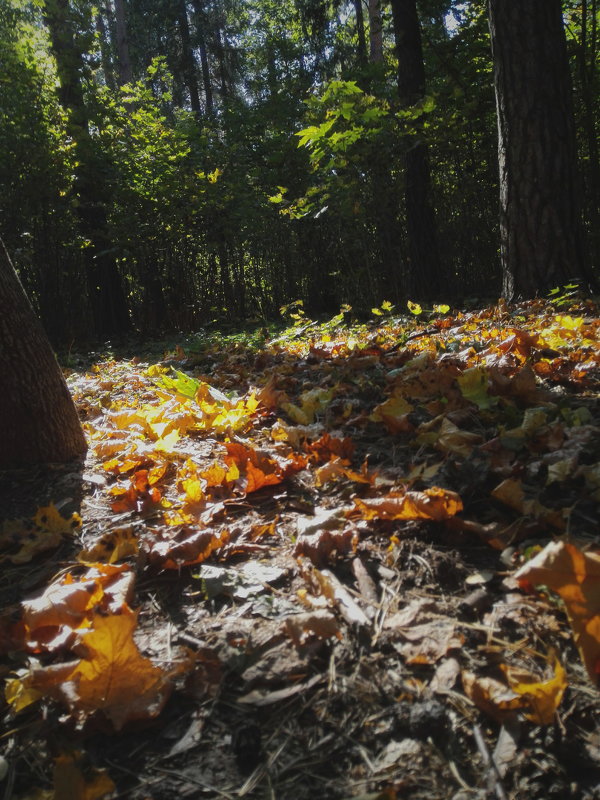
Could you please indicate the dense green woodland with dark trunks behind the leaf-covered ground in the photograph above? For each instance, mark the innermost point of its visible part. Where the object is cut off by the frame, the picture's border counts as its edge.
(151, 176)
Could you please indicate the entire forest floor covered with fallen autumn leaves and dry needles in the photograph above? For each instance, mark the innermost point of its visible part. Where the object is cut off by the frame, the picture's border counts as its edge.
(333, 561)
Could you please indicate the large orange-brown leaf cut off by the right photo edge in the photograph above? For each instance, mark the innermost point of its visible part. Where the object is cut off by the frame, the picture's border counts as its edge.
(575, 576)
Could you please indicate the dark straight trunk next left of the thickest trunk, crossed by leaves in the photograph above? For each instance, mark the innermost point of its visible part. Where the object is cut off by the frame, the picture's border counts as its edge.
(424, 267)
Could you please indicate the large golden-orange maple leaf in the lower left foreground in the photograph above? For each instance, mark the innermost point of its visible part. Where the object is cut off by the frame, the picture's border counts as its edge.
(113, 677)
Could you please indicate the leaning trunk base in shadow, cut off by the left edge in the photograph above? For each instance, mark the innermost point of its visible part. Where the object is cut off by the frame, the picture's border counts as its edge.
(38, 421)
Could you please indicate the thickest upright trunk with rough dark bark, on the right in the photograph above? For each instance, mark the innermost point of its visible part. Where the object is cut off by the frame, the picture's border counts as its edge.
(540, 221)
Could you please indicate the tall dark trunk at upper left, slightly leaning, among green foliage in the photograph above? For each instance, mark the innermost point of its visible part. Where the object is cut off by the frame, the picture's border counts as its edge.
(107, 299)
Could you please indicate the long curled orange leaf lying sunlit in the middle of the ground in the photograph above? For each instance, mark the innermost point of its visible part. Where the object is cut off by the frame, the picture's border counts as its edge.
(434, 504)
